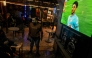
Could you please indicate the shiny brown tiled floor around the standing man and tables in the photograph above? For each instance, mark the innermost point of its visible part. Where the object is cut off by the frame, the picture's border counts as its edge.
(46, 49)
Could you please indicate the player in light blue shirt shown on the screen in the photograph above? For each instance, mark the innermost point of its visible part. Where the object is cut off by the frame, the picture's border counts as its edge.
(73, 19)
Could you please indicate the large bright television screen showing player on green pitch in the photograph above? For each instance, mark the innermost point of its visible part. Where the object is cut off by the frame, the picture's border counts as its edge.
(77, 14)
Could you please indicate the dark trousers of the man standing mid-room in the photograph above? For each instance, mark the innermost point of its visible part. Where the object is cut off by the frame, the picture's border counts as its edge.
(36, 41)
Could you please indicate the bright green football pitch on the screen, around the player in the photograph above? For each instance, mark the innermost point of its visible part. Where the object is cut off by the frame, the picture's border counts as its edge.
(84, 14)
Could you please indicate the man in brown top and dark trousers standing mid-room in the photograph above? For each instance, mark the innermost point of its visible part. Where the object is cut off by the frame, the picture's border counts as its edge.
(35, 31)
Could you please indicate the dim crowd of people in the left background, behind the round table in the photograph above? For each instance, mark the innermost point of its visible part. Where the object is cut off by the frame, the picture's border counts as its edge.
(13, 18)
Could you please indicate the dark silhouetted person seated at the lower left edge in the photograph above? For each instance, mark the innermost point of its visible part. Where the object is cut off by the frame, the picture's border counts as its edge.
(6, 44)
